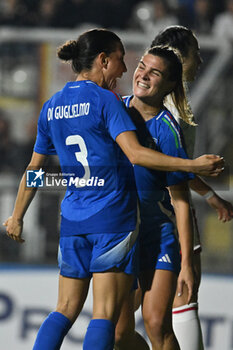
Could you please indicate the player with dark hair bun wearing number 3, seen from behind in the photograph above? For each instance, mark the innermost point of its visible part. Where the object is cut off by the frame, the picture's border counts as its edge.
(83, 124)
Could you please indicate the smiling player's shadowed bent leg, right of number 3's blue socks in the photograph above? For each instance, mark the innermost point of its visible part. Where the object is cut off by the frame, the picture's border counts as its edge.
(125, 335)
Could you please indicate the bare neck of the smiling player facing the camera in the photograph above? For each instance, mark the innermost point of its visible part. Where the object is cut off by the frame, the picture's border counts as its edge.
(146, 110)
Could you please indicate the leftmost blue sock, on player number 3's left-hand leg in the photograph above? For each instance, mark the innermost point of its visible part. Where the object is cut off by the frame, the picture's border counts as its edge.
(52, 332)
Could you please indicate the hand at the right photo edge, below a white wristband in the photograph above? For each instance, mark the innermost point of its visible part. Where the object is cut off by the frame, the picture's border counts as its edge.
(223, 208)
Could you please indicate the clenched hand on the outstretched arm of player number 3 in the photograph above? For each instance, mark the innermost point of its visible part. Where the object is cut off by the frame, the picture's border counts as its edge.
(208, 165)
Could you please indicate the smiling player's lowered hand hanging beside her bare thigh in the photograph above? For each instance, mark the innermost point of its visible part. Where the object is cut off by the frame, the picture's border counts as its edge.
(186, 276)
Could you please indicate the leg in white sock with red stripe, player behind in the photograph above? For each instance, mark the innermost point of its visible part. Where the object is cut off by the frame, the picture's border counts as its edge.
(186, 318)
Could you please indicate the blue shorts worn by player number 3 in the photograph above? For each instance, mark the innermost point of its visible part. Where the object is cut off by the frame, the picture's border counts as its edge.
(79, 256)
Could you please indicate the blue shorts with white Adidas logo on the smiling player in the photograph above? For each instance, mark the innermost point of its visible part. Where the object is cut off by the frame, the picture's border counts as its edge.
(159, 249)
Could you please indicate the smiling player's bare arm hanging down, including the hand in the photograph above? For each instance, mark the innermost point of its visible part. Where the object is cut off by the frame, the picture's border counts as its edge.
(180, 200)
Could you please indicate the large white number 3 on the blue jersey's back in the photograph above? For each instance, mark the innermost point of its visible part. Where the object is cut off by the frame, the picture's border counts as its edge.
(81, 156)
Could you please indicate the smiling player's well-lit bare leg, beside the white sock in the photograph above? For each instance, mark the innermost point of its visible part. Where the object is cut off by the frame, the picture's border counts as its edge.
(158, 292)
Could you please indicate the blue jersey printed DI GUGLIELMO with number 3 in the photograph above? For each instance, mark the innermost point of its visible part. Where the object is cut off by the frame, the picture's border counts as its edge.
(80, 124)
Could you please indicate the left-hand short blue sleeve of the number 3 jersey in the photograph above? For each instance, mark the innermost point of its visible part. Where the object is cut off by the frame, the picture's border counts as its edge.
(43, 144)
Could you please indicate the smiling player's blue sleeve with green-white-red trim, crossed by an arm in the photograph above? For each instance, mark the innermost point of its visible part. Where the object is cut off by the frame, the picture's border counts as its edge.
(170, 142)
